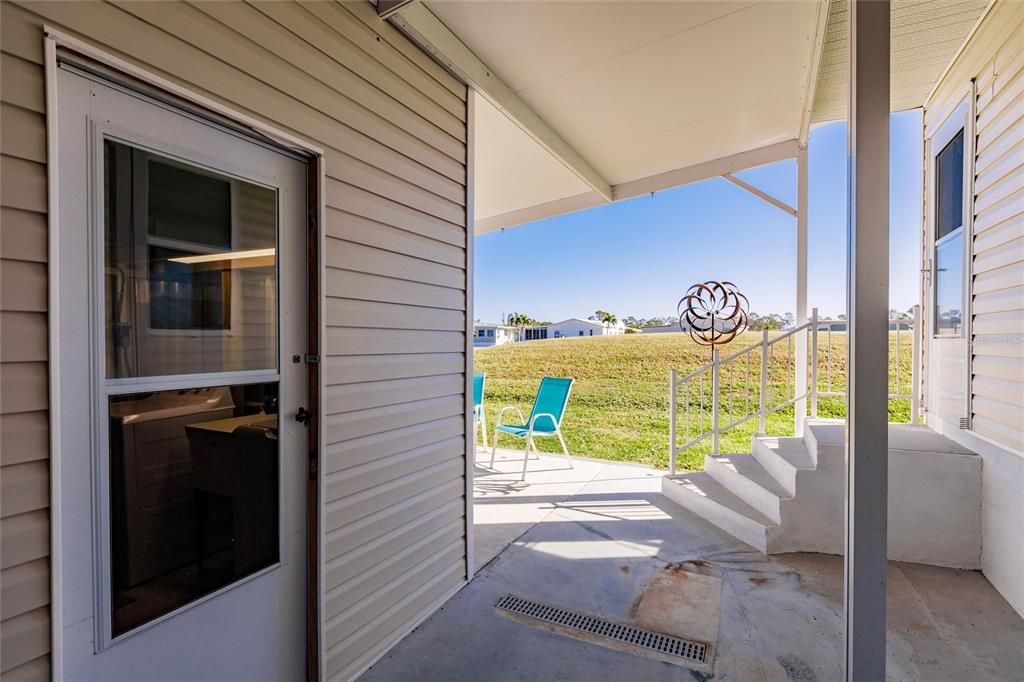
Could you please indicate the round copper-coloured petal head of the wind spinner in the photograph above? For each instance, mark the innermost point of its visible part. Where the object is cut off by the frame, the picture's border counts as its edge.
(714, 313)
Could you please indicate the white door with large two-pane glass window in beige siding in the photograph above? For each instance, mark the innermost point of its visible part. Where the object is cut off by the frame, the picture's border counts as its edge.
(181, 328)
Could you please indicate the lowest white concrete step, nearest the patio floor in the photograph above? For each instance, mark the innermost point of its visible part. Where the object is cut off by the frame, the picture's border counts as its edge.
(707, 498)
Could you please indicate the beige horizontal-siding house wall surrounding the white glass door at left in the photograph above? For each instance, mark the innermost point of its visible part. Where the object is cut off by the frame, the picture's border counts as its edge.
(394, 127)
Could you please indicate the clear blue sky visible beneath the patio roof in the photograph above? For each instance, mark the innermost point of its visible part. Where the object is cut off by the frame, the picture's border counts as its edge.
(638, 257)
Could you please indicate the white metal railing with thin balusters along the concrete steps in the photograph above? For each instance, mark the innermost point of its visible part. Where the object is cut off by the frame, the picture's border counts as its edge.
(761, 379)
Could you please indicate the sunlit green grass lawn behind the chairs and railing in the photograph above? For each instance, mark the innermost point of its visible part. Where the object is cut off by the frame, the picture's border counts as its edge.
(619, 409)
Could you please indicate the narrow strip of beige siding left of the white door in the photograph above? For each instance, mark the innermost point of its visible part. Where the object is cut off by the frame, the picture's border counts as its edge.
(25, 593)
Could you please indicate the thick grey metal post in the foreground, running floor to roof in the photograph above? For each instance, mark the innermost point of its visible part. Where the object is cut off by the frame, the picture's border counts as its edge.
(868, 339)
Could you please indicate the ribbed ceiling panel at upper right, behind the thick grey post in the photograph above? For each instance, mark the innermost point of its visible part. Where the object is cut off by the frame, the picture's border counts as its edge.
(926, 35)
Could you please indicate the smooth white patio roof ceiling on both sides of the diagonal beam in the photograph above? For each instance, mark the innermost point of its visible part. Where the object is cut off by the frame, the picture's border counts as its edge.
(637, 89)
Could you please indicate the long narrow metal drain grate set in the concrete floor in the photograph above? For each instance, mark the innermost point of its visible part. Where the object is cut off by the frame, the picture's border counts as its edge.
(619, 632)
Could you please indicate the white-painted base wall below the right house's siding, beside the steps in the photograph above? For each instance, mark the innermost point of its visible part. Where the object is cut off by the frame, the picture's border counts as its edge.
(1003, 513)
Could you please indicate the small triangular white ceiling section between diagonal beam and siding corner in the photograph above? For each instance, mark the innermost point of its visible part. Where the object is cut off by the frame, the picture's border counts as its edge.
(513, 172)
